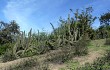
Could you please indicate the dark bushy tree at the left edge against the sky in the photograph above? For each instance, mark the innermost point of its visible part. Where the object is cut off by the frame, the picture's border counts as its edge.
(8, 32)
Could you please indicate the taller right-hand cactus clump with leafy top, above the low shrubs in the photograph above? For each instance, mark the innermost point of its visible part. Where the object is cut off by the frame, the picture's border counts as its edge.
(71, 30)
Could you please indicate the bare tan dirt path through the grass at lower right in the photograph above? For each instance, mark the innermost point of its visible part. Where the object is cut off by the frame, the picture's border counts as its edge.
(93, 55)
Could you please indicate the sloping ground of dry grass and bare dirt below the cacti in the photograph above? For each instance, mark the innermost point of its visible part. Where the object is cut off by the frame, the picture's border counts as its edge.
(94, 52)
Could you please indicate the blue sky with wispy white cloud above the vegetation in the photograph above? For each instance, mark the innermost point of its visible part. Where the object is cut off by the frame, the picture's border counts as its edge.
(37, 14)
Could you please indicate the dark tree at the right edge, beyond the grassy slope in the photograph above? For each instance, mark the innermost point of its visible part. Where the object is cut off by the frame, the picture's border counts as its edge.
(105, 25)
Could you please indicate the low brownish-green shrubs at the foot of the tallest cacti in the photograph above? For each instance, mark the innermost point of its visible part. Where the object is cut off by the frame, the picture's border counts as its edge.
(67, 51)
